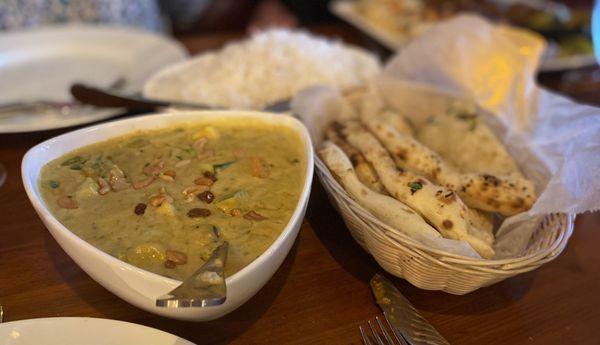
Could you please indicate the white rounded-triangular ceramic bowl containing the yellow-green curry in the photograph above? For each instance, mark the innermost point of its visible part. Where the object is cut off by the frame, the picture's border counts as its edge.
(135, 285)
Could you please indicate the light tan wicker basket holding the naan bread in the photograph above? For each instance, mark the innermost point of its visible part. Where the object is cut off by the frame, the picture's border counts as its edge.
(433, 269)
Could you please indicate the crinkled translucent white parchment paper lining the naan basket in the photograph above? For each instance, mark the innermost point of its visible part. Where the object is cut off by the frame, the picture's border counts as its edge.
(555, 140)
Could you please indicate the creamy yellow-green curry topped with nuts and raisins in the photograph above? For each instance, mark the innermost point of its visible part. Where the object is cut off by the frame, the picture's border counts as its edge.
(163, 200)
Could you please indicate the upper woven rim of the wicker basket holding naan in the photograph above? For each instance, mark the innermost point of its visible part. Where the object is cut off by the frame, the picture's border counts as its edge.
(530, 261)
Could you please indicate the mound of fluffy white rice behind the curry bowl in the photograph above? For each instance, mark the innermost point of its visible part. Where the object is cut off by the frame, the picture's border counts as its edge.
(270, 66)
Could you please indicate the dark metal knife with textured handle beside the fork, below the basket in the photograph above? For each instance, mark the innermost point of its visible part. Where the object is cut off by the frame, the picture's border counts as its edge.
(402, 315)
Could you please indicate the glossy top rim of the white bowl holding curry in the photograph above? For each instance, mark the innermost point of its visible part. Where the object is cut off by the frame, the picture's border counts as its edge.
(32, 189)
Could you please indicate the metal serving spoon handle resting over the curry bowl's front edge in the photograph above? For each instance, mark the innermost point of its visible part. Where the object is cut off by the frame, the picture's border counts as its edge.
(205, 288)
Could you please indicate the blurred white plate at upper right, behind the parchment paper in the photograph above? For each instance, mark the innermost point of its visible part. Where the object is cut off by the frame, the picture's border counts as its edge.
(345, 10)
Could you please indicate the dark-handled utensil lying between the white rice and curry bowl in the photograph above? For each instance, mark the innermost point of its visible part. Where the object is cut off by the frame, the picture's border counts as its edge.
(111, 98)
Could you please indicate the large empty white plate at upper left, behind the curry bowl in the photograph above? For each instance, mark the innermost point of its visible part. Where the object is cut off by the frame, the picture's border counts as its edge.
(42, 63)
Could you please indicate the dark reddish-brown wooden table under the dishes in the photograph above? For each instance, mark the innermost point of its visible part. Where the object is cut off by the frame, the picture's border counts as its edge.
(320, 294)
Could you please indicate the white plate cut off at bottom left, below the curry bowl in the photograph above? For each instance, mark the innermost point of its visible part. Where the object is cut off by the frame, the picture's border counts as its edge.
(83, 330)
